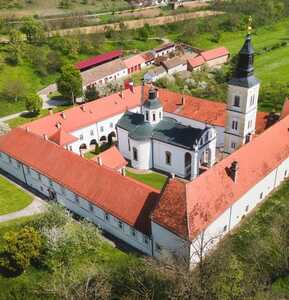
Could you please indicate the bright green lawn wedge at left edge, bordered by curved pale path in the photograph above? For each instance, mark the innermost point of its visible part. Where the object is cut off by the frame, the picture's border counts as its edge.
(12, 198)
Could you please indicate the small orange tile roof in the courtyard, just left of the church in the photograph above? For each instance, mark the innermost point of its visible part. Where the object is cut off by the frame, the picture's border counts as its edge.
(112, 159)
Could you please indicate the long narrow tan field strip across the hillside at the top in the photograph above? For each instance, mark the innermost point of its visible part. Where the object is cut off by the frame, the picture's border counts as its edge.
(132, 24)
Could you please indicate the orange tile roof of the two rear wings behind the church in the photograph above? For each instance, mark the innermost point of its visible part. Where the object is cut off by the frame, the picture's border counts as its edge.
(206, 111)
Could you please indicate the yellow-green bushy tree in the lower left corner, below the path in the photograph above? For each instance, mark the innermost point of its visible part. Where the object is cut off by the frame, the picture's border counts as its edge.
(19, 250)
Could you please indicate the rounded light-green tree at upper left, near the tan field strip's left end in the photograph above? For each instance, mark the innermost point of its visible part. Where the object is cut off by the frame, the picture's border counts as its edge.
(33, 30)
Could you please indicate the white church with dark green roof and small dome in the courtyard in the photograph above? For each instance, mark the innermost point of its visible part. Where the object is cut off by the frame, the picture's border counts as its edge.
(151, 141)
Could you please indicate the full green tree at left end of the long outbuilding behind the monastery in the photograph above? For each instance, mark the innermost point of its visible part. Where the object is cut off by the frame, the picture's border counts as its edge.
(69, 84)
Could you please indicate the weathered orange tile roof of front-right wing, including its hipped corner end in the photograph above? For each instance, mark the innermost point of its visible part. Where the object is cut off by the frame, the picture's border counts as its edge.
(210, 194)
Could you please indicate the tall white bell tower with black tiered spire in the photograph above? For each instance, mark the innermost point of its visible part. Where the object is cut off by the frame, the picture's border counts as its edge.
(242, 104)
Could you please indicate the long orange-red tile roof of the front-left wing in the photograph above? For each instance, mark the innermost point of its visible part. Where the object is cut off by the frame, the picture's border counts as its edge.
(123, 197)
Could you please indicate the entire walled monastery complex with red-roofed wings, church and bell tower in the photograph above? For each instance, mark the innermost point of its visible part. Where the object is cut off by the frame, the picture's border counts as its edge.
(222, 160)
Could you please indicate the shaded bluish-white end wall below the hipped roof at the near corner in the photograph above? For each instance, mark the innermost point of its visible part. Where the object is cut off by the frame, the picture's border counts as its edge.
(166, 242)
